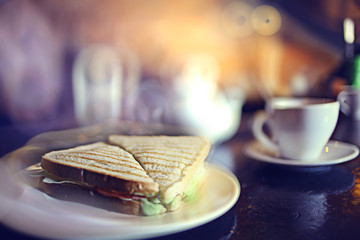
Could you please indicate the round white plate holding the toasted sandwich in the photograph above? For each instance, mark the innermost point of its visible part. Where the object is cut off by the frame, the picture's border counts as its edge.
(35, 213)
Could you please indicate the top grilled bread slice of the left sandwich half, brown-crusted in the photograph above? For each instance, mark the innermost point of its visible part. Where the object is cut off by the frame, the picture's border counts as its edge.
(100, 165)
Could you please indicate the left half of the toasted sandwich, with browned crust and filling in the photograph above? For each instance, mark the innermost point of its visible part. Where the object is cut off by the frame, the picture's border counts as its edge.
(102, 175)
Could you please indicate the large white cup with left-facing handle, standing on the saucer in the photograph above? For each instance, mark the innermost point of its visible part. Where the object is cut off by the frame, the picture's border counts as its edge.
(300, 127)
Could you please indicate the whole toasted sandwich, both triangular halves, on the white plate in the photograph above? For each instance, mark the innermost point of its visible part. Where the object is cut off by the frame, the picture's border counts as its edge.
(136, 175)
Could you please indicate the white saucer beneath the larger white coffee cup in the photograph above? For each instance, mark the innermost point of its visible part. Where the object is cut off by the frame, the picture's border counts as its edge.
(335, 152)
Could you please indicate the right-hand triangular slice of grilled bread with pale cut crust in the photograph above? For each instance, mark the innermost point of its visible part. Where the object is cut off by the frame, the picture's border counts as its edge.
(170, 161)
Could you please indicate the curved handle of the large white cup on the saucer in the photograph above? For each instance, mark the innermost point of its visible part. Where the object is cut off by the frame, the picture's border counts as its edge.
(257, 129)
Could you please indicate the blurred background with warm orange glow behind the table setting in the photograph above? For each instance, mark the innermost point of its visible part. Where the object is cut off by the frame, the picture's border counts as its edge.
(198, 64)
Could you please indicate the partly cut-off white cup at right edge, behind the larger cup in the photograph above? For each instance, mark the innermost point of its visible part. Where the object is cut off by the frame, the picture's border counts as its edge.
(350, 102)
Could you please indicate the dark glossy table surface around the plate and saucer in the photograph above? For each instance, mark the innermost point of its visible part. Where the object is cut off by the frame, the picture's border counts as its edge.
(275, 202)
